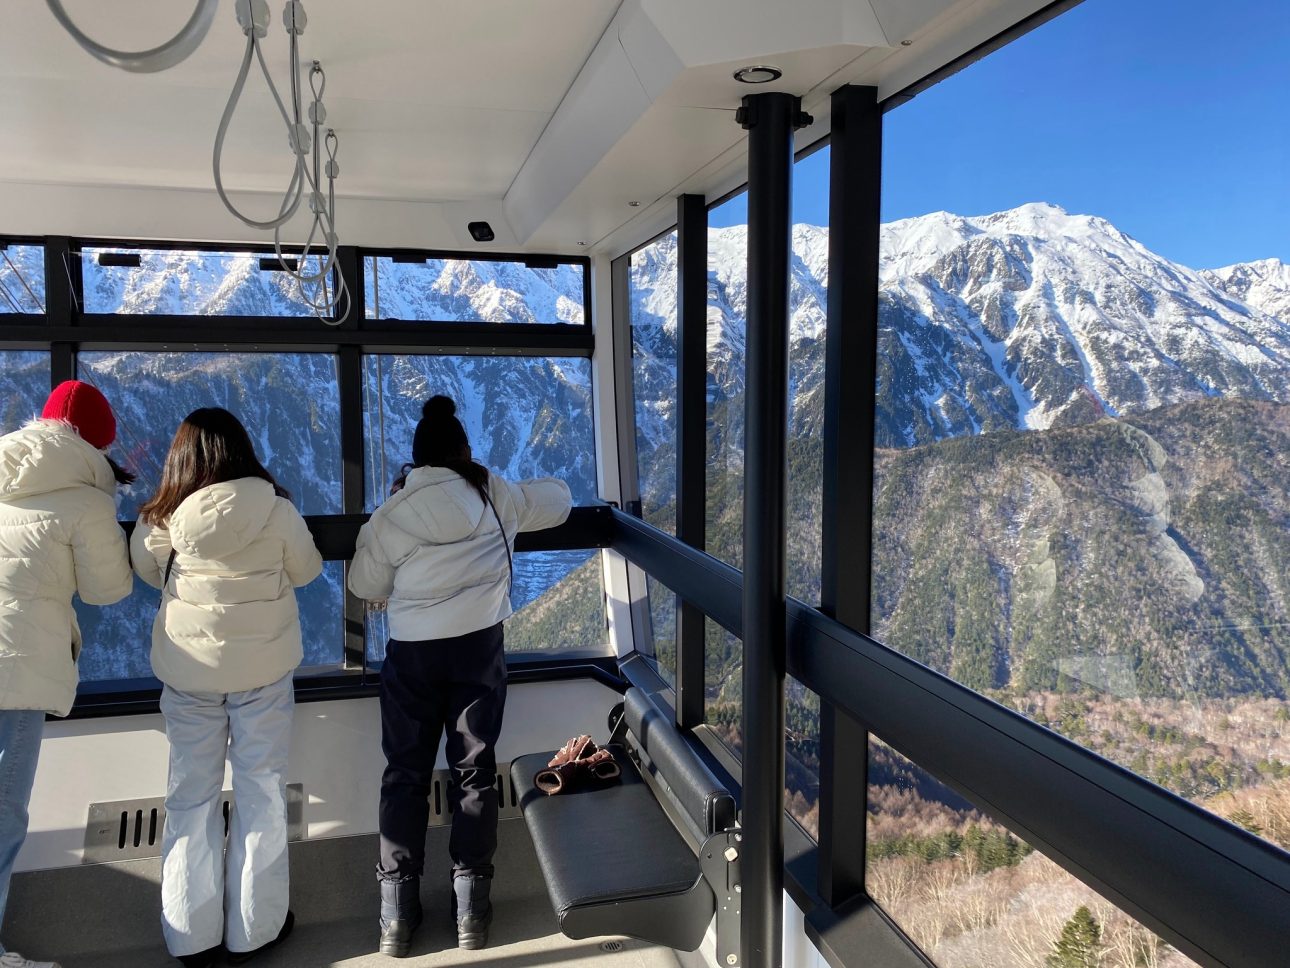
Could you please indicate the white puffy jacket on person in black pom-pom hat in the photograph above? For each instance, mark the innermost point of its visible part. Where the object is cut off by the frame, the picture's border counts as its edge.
(435, 552)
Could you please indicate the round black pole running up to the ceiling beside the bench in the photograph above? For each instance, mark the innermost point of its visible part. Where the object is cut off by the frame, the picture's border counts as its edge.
(771, 121)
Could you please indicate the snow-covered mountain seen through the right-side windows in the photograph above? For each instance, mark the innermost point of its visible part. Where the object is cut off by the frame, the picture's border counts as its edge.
(1031, 318)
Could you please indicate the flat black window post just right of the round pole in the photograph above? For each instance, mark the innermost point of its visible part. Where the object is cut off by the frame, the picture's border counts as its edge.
(856, 171)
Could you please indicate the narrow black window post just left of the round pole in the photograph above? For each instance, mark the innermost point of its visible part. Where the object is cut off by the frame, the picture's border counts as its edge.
(692, 430)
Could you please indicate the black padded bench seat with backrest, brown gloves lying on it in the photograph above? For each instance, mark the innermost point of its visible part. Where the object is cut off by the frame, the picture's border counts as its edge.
(653, 856)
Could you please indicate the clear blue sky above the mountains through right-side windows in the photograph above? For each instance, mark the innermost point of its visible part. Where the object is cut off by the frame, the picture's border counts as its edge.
(1169, 118)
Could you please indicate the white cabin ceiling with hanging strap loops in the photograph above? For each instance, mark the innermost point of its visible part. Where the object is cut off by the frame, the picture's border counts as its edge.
(544, 117)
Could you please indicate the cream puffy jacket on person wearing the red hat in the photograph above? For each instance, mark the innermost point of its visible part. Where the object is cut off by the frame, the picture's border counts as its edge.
(59, 536)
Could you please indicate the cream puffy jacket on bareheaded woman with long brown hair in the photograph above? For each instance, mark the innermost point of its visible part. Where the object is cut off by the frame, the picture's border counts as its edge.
(229, 620)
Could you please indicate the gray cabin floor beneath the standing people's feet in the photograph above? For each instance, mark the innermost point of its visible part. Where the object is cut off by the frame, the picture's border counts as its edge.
(109, 916)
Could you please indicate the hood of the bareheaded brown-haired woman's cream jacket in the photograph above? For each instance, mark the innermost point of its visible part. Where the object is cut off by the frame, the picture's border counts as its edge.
(223, 519)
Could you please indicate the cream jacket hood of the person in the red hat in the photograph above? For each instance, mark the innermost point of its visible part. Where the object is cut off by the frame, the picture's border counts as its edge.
(48, 456)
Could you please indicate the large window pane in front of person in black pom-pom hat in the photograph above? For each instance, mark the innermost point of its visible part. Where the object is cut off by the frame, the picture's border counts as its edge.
(526, 416)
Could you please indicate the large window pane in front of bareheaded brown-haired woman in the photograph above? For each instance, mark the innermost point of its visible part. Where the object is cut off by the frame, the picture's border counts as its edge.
(290, 405)
